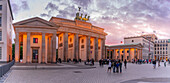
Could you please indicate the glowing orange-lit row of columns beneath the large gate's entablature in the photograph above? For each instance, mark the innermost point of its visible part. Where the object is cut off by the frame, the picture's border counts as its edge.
(76, 46)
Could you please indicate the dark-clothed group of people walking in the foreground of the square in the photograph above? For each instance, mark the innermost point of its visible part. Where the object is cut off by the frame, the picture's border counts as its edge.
(116, 65)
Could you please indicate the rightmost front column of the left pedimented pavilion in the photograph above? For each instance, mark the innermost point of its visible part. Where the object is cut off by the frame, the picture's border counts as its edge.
(54, 48)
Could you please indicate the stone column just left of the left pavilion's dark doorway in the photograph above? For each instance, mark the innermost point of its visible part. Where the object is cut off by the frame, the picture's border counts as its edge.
(28, 48)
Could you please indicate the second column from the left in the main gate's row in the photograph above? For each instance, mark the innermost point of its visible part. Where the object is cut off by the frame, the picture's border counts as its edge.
(76, 46)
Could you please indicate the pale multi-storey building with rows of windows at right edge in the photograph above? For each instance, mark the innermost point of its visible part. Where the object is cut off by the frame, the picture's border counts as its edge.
(162, 49)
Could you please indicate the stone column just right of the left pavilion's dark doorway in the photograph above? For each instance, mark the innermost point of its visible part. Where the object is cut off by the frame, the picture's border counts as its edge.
(43, 49)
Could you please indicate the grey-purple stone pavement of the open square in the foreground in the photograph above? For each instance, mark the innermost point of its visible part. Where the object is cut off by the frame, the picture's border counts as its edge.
(133, 74)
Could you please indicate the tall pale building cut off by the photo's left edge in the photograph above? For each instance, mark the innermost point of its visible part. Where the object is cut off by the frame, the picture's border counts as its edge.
(6, 18)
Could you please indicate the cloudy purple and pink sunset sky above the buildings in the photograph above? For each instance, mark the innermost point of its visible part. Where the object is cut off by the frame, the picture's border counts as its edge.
(119, 18)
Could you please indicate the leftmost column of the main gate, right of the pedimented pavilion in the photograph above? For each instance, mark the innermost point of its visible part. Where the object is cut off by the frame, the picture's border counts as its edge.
(65, 46)
